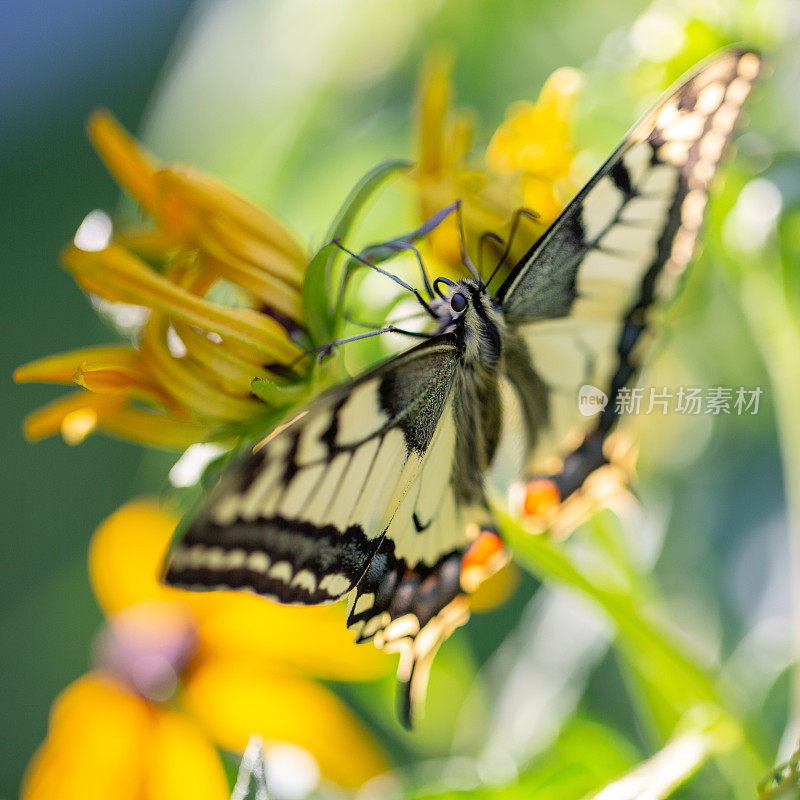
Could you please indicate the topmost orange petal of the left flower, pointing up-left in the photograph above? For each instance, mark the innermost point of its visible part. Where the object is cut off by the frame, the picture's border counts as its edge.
(132, 167)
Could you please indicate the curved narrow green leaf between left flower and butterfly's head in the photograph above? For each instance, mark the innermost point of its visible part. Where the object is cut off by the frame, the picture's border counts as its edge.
(319, 296)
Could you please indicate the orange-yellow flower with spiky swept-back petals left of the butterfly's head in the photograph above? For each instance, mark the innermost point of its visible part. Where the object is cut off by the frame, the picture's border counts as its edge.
(220, 283)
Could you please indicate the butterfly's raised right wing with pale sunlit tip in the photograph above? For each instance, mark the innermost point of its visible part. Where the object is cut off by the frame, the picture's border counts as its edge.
(579, 299)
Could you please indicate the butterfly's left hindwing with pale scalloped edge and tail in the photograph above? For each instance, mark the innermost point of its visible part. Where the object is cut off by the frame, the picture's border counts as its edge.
(411, 597)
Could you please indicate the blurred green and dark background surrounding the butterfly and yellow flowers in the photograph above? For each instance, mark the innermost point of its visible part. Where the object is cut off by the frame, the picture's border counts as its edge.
(290, 102)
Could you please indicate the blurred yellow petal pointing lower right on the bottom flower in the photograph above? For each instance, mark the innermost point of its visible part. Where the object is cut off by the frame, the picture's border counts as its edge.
(234, 700)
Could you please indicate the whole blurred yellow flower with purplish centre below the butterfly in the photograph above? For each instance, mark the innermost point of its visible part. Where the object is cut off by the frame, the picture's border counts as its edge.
(180, 674)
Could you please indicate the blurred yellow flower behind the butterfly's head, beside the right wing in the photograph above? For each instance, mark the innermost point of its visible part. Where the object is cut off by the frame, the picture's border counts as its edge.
(528, 163)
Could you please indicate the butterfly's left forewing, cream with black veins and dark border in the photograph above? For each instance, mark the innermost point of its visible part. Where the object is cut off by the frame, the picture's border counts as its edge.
(299, 519)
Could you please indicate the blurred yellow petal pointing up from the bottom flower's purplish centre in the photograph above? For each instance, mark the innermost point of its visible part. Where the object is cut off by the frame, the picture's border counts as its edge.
(125, 558)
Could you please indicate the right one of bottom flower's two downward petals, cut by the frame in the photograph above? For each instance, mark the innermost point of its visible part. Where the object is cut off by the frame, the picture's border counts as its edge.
(181, 763)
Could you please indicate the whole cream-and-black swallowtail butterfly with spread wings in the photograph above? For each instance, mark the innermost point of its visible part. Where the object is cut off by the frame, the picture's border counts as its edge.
(377, 489)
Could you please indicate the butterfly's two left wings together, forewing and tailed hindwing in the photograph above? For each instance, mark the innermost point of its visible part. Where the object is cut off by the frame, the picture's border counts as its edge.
(356, 493)
